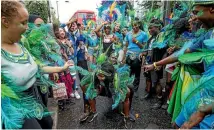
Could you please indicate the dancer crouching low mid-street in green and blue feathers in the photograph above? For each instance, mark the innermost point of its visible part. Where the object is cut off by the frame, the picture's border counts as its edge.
(105, 81)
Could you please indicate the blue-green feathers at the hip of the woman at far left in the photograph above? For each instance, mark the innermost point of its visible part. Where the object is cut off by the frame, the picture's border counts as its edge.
(17, 105)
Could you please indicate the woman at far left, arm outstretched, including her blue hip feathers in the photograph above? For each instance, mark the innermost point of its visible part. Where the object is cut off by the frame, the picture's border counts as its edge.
(20, 70)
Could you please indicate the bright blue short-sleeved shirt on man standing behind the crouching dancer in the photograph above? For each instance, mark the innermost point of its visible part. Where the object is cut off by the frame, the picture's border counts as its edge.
(141, 37)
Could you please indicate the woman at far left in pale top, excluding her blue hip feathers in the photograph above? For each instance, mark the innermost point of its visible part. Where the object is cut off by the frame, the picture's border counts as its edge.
(16, 62)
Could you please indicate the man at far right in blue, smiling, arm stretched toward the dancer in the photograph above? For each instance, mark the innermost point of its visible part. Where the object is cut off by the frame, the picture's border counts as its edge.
(188, 100)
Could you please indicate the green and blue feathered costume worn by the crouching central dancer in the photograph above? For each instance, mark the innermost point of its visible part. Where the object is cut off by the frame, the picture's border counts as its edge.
(116, 82)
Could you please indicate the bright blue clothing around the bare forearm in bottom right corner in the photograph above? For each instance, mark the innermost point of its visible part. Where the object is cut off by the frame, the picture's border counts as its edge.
(191, 106)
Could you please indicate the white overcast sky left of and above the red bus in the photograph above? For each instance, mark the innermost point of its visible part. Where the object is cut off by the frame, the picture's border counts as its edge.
(67, 9)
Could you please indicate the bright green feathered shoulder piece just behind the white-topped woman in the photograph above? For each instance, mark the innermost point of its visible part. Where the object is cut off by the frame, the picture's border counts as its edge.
(41, 44)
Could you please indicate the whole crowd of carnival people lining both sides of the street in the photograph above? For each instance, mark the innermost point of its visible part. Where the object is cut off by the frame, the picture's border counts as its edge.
(108, 60)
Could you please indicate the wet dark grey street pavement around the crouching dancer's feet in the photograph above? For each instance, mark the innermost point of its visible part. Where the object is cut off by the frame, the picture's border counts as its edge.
(147, 117)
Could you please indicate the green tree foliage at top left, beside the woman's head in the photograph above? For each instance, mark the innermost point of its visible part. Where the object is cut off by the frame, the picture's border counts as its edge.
(38, 7)
